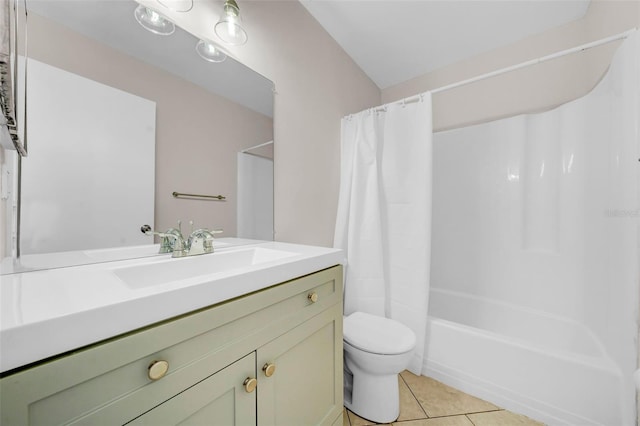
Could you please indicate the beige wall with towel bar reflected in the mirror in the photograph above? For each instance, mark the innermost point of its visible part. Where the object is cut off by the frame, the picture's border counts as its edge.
(195, 148)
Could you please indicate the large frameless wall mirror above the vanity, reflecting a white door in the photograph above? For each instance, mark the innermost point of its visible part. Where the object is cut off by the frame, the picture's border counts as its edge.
(120, 119)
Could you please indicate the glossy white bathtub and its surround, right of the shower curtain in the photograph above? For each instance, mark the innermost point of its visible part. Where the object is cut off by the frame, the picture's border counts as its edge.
(534, 299)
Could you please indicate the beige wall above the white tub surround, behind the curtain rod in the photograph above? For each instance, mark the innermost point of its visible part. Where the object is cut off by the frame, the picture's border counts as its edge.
(534, 88)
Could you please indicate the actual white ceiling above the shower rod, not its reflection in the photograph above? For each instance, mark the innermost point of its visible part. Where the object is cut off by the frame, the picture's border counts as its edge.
(396, 40)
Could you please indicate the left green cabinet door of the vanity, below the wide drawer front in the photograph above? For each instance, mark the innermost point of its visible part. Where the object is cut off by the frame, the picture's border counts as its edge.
(220, 399)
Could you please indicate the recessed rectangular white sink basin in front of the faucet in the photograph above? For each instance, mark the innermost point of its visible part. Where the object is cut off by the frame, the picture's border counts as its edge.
(172, 270)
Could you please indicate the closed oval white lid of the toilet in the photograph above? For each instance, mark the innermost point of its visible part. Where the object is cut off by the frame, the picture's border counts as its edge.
(374, 334)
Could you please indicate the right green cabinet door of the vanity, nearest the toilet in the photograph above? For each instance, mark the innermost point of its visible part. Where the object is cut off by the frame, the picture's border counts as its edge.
(306, 386)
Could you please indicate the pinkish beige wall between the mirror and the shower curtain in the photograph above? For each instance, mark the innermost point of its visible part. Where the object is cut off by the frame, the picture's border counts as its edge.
(317, 83)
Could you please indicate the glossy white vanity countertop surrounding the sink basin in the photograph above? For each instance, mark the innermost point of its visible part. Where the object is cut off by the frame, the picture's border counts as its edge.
(48, 312)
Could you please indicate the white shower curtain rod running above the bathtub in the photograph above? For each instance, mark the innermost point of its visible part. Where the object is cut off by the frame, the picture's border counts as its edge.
(504, 70)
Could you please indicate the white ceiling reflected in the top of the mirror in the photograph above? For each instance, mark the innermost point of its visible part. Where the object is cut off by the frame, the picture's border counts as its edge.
(112, 23)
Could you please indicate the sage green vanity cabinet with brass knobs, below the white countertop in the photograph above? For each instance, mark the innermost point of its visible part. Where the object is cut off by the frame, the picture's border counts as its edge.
(273, 357)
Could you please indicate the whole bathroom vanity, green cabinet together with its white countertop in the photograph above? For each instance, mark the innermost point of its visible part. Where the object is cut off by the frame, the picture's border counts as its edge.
(260, 349)
